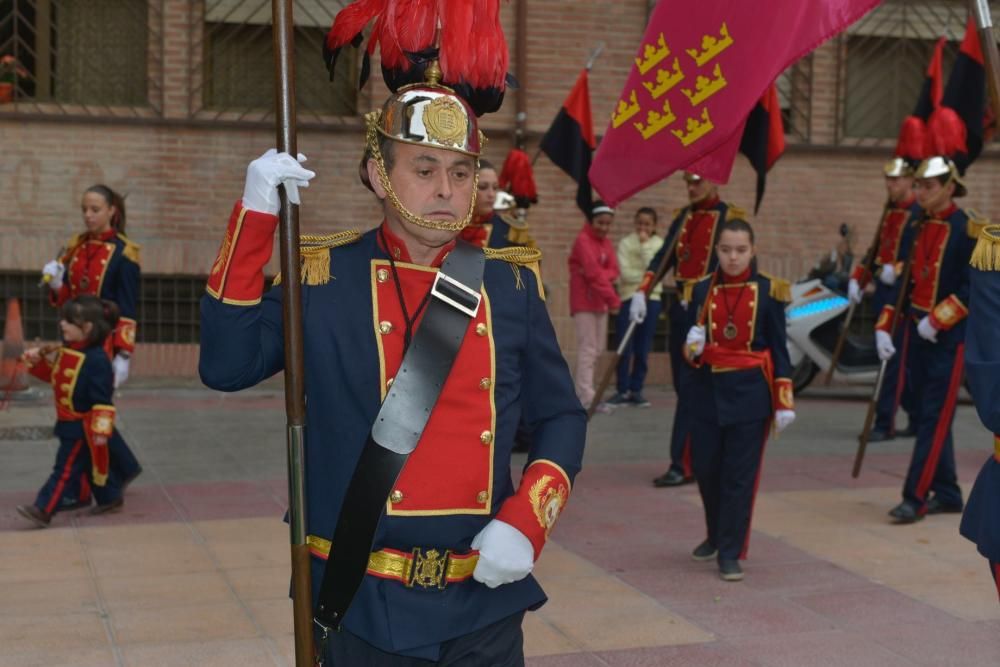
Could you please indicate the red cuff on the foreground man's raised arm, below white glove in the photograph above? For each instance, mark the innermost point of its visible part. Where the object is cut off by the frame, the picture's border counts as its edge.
(237, 275)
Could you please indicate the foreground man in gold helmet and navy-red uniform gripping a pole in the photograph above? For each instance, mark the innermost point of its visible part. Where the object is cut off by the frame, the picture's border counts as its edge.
(448, 576)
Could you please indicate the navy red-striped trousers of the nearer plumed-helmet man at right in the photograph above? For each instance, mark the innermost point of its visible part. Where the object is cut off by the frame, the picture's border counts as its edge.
(935, 371)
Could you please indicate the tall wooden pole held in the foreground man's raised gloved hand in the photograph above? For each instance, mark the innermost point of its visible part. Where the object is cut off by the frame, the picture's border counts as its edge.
(291, 287)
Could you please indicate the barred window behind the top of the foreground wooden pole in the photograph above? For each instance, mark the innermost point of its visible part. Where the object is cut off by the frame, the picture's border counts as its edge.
(235, 78)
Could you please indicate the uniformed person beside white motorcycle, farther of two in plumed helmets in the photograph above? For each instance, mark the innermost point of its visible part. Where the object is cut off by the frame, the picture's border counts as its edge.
(893, 241)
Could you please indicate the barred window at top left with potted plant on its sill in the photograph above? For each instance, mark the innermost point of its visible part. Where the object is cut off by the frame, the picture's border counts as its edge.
(82, 56)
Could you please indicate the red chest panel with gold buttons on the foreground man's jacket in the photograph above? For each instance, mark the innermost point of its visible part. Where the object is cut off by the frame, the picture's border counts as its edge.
(451, 470)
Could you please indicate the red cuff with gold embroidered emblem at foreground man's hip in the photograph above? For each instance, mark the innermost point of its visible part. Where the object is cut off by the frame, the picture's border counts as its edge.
(539, 499)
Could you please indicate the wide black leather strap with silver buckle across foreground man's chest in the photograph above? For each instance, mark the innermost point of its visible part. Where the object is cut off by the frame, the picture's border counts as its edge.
(398, 426)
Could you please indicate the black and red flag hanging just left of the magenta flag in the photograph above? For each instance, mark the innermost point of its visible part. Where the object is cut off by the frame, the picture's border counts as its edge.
(570, 143)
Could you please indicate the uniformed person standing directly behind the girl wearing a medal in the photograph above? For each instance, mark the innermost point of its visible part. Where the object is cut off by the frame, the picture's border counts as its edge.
(696, 229)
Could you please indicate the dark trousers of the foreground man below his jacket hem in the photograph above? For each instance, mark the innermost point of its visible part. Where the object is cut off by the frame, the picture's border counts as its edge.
(498, 645)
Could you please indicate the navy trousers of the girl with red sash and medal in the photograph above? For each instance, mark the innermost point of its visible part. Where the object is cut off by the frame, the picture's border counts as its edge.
(727, 462)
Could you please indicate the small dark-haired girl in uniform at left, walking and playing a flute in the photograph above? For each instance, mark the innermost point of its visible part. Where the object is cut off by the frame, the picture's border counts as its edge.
(82, 383)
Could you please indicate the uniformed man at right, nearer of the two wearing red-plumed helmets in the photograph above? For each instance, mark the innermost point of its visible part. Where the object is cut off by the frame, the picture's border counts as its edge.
(934, 313)
